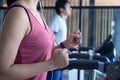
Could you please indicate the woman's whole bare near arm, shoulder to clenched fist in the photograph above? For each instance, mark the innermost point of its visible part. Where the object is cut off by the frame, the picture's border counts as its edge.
(15, 27)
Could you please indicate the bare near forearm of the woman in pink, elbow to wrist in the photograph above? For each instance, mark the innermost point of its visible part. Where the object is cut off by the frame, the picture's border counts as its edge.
(24, 71)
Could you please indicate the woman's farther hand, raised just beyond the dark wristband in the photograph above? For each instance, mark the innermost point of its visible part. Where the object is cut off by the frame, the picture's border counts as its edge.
(73, 40)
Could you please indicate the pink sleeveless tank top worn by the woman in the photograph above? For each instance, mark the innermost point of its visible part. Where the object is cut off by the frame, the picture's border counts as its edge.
(37, 45)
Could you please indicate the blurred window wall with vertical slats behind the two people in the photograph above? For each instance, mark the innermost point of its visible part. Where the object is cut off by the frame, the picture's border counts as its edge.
(96, 19)
